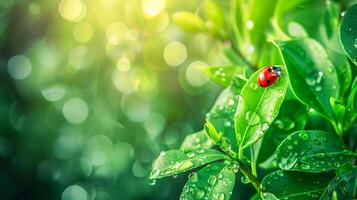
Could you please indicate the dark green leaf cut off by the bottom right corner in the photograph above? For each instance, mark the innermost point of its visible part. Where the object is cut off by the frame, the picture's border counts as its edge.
(344, 186)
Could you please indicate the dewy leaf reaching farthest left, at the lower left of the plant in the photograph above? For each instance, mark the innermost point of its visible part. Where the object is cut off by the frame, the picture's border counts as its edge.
(175, 162)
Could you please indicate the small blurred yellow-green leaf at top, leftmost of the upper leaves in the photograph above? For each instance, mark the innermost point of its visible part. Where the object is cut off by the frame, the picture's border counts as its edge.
(188, 21)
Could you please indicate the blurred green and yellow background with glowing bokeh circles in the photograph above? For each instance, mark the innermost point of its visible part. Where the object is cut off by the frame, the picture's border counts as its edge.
(92, 91)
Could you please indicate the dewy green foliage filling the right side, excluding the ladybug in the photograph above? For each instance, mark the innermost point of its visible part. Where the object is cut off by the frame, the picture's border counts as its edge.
(275, 127)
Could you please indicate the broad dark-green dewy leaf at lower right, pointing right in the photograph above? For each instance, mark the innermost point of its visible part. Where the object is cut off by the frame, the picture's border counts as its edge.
(312, 151)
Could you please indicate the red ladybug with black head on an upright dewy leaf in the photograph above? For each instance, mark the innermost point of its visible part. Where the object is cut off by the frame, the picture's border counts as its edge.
(269, 75)
